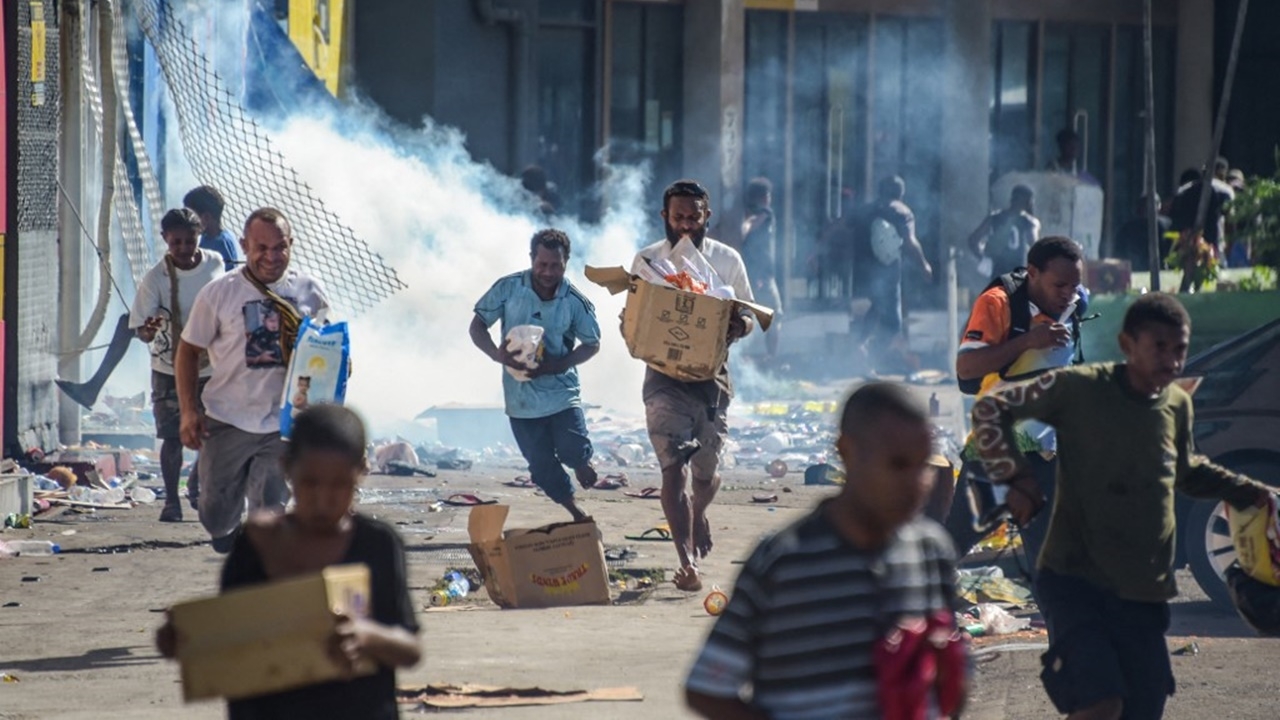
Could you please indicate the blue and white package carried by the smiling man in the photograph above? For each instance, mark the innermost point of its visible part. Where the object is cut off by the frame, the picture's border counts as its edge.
(318, 371)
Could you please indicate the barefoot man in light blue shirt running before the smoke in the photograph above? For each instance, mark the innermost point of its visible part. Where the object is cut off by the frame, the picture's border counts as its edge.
(546, 411)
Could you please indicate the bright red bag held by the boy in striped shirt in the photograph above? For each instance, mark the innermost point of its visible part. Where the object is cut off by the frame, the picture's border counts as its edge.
(918, 659)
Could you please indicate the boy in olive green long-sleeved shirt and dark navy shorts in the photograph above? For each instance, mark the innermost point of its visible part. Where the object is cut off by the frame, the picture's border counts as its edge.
(1124, 438)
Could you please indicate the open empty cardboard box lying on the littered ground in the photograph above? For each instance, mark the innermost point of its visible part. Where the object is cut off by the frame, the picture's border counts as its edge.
(548, 567)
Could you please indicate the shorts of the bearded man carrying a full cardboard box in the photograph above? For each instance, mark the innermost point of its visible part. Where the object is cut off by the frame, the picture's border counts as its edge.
(676, 418)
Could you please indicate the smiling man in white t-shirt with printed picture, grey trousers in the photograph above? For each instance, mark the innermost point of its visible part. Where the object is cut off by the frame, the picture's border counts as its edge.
(239, 430)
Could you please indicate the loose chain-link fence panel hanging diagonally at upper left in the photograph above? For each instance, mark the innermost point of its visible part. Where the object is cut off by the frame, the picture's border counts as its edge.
(230, 151)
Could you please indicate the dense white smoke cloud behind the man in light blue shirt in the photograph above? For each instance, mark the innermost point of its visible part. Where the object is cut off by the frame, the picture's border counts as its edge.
(449, 226)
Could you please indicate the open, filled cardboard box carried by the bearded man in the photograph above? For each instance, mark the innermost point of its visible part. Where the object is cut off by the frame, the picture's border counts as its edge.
(679, 334)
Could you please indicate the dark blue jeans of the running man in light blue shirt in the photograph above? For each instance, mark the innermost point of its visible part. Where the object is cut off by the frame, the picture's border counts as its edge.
(550, 444)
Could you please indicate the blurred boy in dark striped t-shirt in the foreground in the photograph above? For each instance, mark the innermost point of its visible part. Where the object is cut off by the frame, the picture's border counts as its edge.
(799, 637)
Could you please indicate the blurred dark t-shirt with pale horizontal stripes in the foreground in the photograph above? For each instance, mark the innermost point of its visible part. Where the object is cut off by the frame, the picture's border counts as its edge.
(798, 635)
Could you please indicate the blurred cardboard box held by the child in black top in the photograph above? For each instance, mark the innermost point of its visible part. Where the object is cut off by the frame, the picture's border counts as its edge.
(268, 639)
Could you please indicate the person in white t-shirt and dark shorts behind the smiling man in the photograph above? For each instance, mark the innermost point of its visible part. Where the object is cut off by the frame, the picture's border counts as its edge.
(158, 316)
